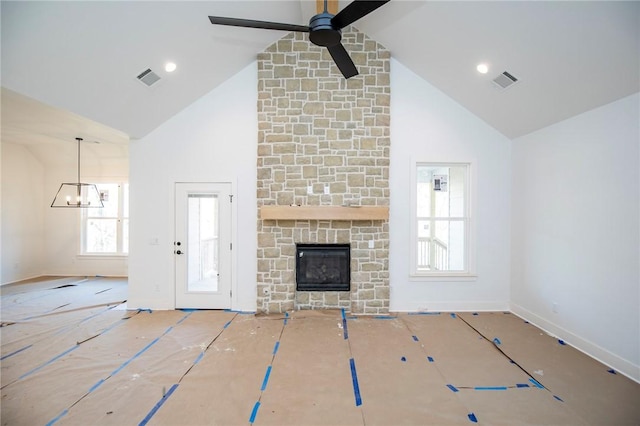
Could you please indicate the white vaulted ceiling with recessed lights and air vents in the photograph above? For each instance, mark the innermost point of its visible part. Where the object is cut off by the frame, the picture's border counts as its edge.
(82, 58)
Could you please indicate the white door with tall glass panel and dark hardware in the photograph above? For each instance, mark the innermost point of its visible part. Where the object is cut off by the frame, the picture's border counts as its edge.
(203, 245)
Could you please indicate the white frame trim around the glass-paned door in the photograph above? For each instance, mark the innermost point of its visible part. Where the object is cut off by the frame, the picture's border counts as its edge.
(233, 227)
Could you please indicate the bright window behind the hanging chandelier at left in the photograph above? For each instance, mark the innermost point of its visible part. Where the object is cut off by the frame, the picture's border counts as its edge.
(105, 231)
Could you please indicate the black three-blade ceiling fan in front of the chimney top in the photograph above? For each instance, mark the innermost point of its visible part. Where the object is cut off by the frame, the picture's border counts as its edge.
(324, 29)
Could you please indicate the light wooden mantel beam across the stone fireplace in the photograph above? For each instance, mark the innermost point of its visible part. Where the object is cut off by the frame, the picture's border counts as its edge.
(324, 213)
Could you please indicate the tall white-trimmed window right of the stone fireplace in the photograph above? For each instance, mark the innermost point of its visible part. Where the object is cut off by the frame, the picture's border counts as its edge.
(441, 222)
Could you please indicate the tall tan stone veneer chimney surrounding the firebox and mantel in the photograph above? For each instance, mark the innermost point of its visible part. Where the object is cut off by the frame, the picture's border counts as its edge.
(317, 129)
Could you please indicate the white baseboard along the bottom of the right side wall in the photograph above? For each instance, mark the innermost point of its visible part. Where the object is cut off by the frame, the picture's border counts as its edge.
(591, 349)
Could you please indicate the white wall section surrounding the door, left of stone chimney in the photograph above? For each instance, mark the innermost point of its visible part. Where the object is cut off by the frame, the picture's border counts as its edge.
(213, 140)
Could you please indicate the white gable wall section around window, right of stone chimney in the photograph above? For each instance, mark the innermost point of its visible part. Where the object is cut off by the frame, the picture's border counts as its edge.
(426, 125)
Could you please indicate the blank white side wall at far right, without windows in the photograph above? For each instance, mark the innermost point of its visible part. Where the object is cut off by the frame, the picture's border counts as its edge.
(576, 232)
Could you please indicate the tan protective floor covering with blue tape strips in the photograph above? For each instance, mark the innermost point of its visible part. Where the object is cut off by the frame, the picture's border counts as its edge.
(71, 354)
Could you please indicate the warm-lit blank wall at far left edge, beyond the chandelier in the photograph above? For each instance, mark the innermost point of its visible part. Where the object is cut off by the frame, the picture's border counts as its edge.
(22, 214)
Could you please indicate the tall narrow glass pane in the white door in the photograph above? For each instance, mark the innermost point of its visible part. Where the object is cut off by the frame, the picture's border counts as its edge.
(202, 246)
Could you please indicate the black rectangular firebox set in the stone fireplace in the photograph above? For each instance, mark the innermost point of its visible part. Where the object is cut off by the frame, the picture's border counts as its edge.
(323, 267)
